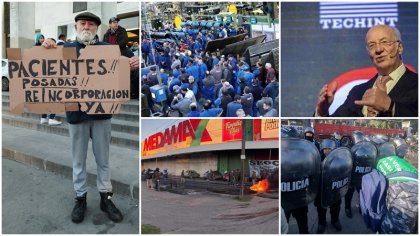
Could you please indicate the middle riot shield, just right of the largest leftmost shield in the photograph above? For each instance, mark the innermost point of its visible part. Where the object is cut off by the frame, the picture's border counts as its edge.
(335, 176)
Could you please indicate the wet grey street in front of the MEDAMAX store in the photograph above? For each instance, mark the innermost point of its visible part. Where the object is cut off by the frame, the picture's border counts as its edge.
(209, 213)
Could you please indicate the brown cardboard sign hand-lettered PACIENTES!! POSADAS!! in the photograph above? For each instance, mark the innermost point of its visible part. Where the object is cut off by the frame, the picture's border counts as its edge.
(55, 80)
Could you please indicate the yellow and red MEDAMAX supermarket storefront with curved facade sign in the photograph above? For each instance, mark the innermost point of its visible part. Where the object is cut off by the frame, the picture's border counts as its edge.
(204, 144)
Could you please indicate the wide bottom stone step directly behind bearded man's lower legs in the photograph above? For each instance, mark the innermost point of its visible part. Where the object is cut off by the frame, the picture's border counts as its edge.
(52, 152)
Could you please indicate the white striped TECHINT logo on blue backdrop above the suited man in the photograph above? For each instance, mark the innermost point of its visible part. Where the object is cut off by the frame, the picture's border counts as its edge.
(357, 15)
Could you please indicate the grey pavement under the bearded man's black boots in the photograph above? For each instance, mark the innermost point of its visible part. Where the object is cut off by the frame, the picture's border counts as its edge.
(39, 202)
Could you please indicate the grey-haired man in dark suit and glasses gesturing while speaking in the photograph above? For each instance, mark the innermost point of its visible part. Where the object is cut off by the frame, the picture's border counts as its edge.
(393, 92)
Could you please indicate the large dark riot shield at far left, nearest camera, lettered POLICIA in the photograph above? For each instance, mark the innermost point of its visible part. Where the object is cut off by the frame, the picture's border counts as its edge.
(300, 172)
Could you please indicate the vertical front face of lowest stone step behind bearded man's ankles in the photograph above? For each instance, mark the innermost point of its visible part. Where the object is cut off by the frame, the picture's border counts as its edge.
(129, 189)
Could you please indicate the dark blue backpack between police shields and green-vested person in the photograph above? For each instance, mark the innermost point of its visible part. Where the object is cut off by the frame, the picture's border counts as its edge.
(373, 199)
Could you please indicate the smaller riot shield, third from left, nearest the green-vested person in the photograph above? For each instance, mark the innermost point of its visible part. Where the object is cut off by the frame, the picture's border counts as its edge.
(364, 159)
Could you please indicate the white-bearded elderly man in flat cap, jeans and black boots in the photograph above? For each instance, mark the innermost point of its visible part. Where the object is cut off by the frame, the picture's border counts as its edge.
(82, 127)
